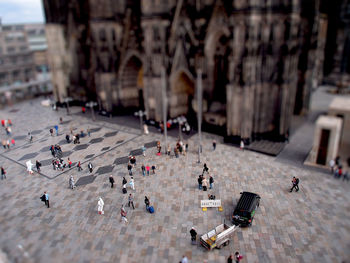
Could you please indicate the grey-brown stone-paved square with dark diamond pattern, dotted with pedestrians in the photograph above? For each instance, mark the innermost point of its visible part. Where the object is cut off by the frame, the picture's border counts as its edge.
(312, 225)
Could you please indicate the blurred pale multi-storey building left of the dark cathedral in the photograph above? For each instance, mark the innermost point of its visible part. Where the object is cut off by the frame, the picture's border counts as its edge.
(23, 62)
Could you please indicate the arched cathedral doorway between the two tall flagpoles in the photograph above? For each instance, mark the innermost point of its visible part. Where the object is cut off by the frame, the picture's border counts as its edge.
(182, 93)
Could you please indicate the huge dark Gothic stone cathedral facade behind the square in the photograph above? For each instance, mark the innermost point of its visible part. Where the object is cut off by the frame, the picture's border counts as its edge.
(259, 59)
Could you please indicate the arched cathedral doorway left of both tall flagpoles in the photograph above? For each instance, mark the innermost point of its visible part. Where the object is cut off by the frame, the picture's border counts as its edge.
(132, 84)
